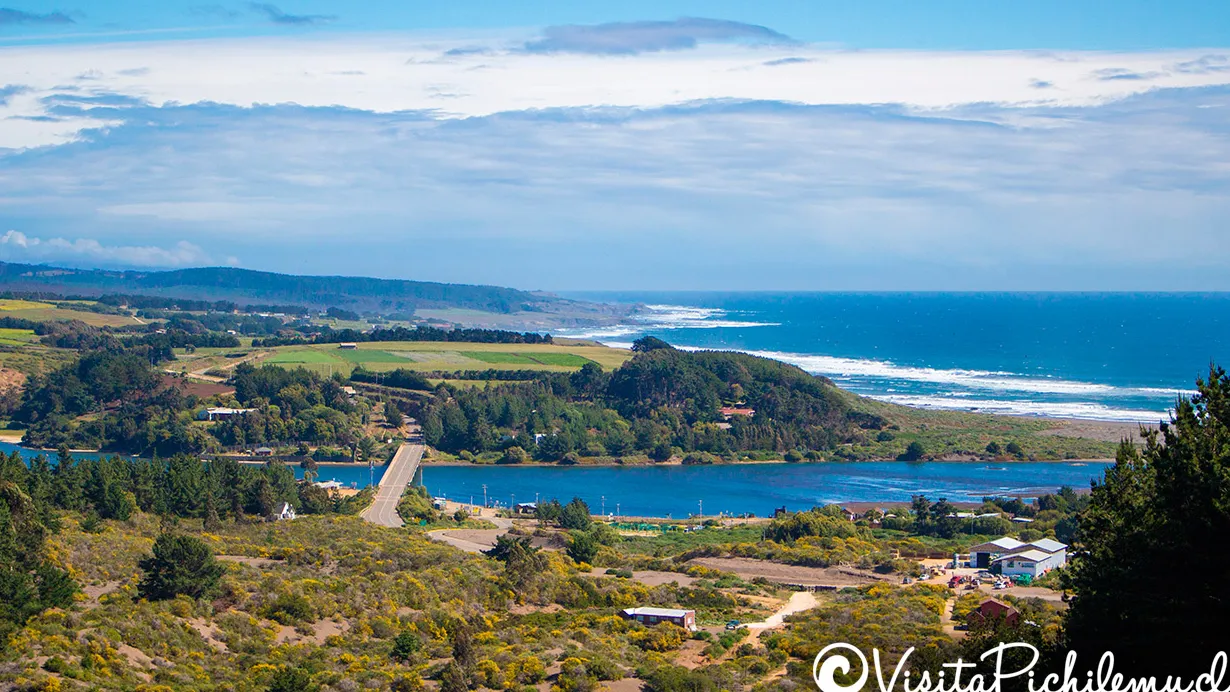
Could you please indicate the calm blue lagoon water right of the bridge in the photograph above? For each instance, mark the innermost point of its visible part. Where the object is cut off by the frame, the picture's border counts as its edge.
(680, 491)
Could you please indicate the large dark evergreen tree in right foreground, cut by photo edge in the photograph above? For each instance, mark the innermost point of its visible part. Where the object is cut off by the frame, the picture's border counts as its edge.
(1158, 508)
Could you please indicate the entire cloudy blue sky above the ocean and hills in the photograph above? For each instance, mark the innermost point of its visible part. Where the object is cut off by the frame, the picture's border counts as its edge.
(771, 146)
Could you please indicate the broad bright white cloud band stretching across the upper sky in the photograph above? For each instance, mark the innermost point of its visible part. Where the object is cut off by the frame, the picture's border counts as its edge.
(405, 73)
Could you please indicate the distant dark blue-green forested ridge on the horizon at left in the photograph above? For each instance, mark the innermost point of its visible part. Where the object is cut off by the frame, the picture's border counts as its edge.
(248, 287)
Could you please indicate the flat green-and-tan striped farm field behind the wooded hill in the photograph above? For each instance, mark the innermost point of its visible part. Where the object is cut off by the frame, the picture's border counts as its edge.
(427, 357)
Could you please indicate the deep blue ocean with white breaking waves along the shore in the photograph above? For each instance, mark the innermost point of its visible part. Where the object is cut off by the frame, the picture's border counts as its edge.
(1103, 357)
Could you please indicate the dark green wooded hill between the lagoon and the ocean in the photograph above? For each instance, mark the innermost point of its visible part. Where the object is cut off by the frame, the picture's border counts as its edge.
(660, 400)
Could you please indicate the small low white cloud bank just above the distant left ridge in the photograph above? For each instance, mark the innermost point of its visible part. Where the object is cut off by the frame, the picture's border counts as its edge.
(17, 246)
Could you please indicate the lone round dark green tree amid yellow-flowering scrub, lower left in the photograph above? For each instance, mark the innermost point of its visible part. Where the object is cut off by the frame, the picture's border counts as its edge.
(180, 566)
